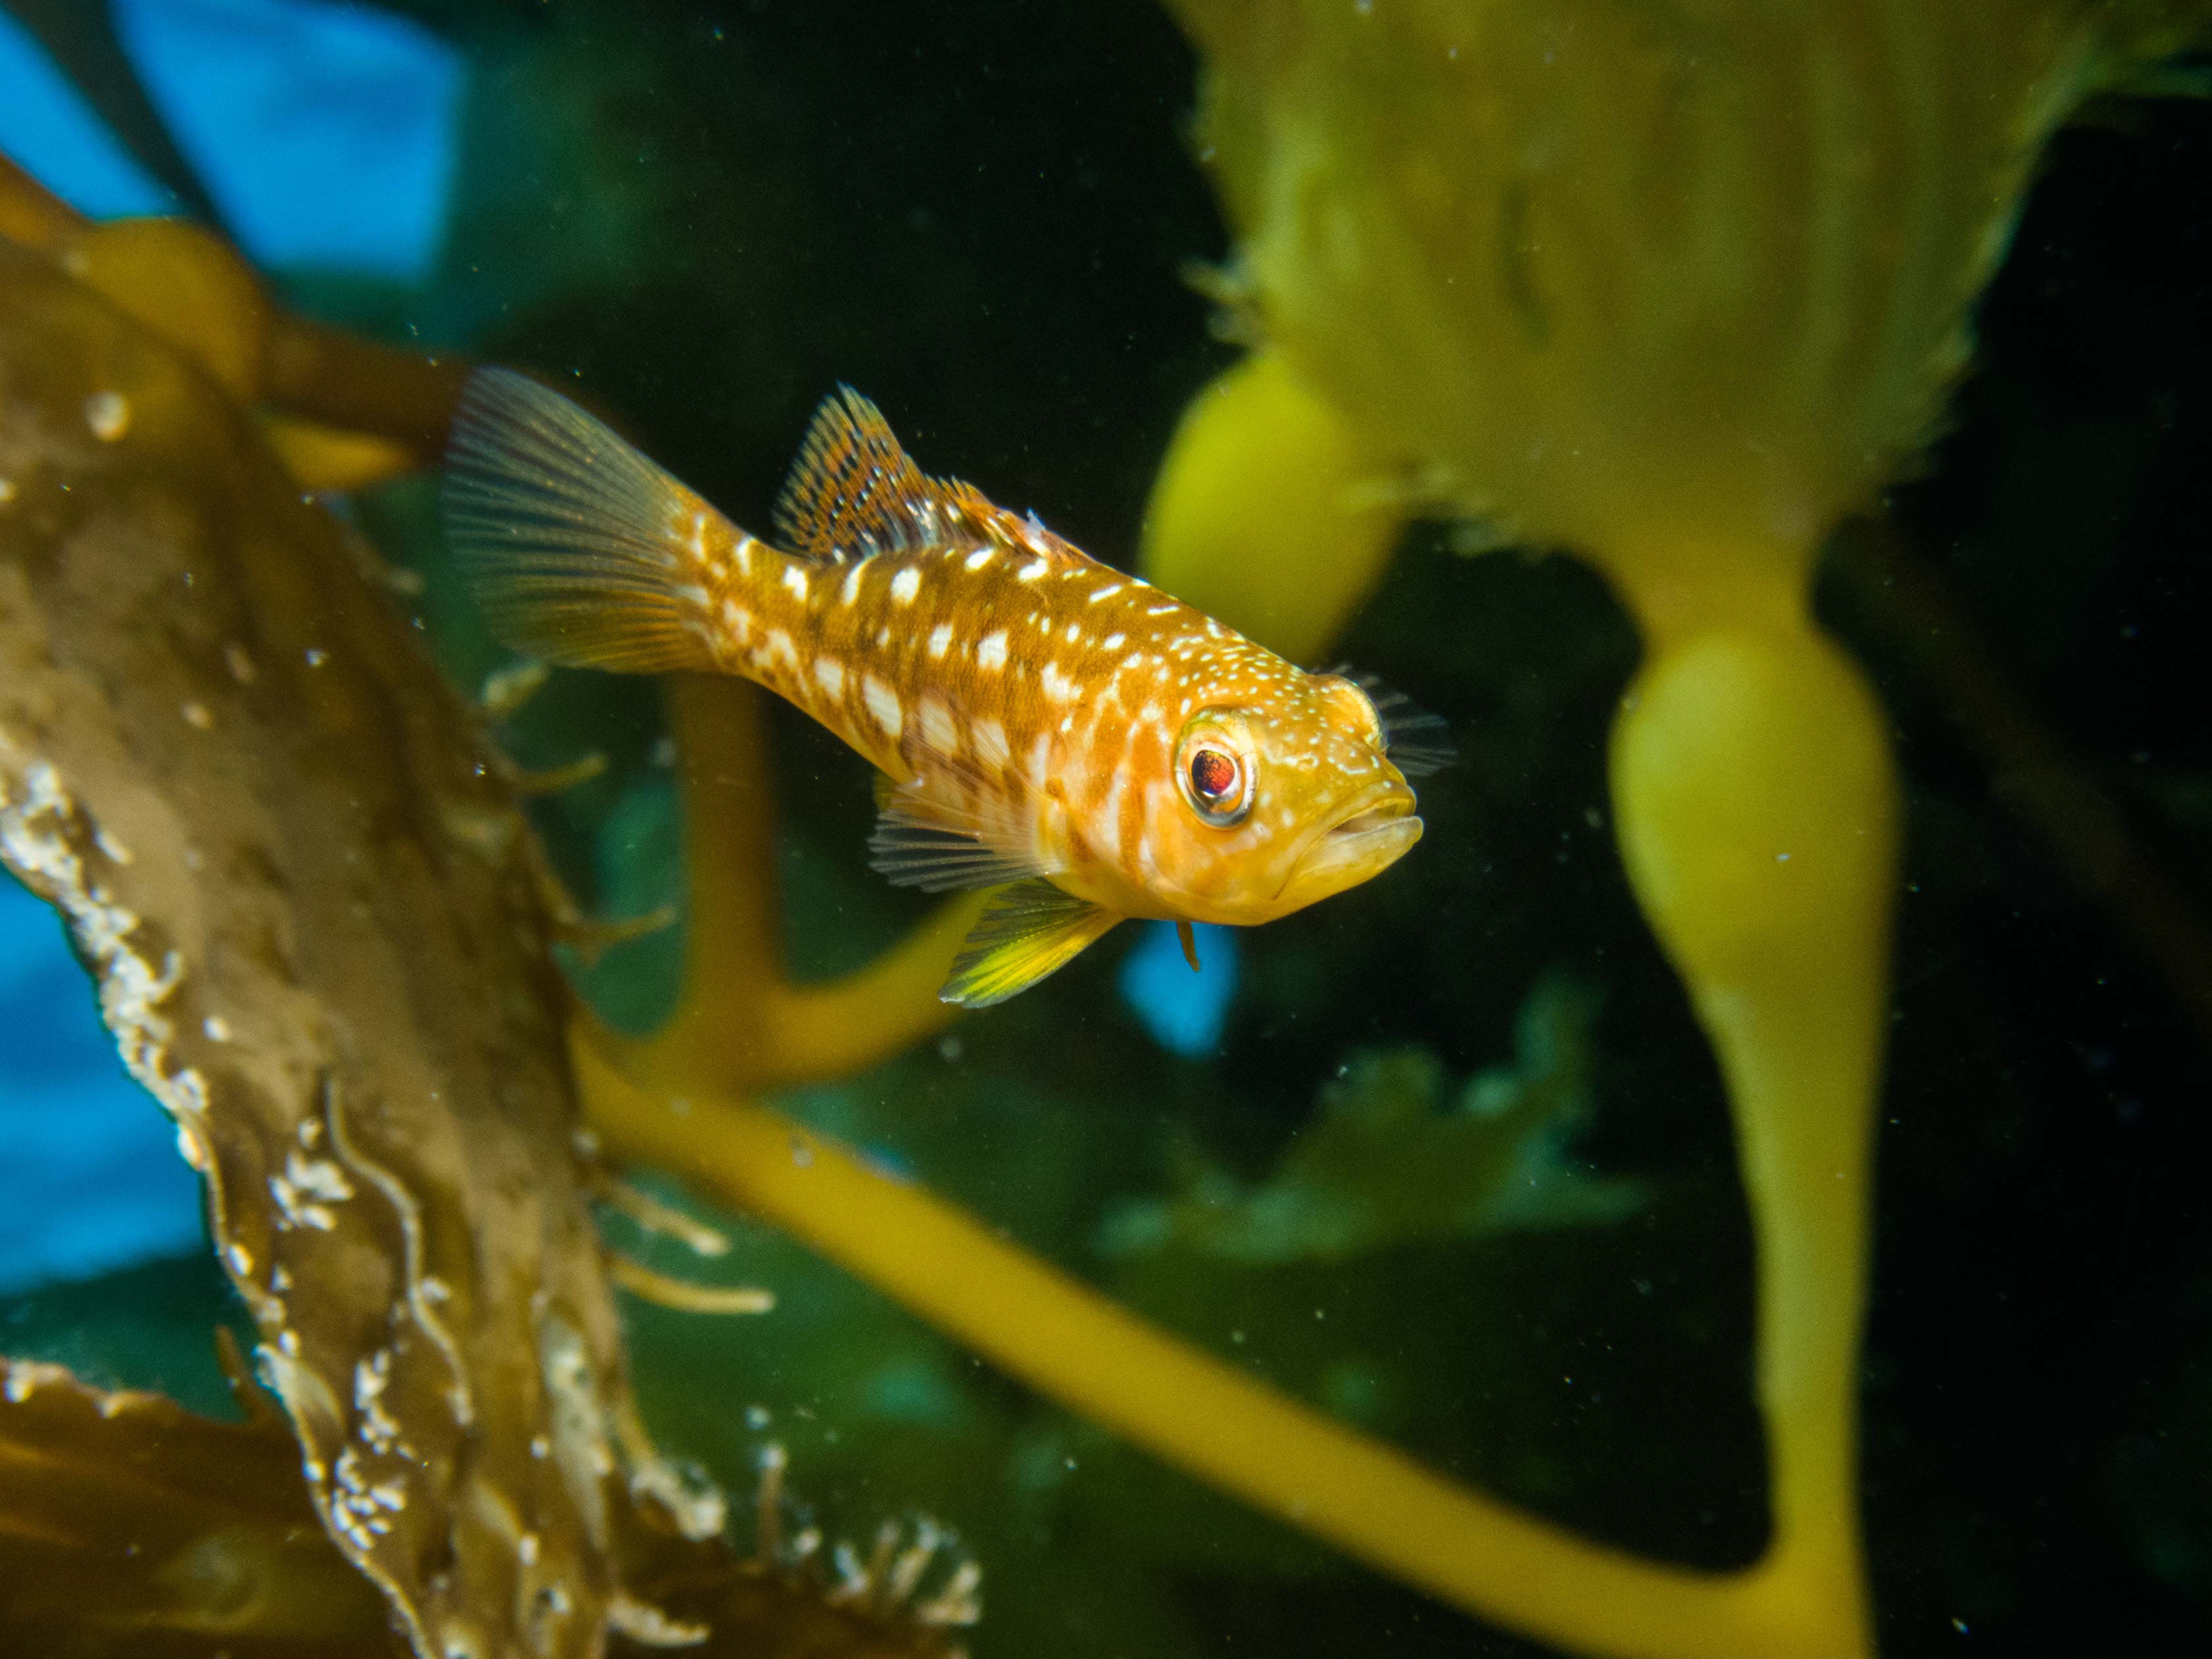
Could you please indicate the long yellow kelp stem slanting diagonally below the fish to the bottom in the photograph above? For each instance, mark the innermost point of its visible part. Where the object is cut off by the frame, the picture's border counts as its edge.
(1182, 1406)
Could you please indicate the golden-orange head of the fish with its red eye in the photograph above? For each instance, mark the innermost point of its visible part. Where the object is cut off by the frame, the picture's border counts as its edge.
(1275, 802)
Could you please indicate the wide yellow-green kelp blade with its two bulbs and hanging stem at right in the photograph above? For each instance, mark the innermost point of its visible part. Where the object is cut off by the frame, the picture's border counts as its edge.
(1673, 293)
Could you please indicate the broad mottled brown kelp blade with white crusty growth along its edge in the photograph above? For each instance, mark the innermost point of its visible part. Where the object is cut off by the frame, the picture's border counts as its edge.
(320, 935)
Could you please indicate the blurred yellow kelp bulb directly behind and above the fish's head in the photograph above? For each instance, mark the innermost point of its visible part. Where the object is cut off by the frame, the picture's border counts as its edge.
(1297, 572)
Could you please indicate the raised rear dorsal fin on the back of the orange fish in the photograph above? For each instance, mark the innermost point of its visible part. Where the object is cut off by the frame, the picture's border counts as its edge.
(855, 492)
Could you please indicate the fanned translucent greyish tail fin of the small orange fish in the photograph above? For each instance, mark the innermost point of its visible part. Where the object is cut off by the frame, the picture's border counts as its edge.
(581, 550)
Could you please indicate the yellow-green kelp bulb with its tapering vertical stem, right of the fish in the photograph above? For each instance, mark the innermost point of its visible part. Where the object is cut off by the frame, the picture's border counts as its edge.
(1757, 815)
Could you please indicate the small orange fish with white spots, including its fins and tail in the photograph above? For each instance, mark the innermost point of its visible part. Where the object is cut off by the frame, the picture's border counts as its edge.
(1043, 722)
